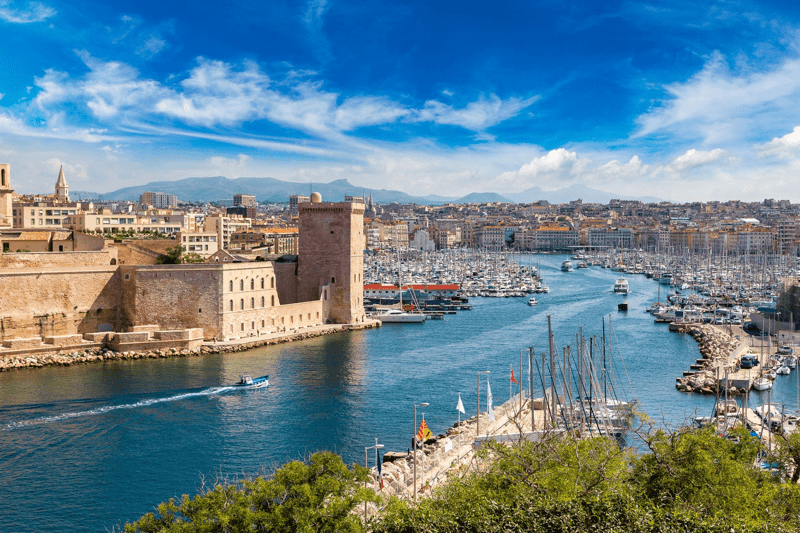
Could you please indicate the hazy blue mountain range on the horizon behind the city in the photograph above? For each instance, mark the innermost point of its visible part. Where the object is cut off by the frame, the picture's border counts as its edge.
(273, 190)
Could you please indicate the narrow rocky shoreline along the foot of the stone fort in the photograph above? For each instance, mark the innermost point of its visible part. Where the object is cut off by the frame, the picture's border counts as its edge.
(98, 355)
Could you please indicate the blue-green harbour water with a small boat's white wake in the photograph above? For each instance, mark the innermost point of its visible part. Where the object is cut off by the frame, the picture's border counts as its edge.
(88, 447)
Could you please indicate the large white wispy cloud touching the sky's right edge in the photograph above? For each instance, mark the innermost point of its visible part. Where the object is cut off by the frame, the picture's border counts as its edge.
(719, 104)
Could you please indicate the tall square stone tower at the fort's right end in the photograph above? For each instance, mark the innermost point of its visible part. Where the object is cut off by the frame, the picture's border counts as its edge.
(330, 258)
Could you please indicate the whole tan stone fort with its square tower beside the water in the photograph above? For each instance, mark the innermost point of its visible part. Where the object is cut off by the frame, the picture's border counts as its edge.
(53, 295)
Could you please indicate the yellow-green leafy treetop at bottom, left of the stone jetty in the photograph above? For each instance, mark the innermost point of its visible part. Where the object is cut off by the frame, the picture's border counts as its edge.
(305, 497)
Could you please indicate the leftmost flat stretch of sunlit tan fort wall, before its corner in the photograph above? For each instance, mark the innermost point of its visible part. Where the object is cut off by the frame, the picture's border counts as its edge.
(64, 301)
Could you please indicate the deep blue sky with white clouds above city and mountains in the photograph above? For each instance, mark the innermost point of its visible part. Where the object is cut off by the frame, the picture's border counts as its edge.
(685, 101)
